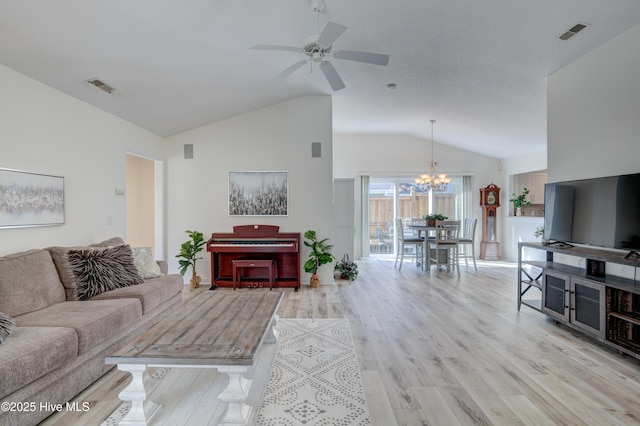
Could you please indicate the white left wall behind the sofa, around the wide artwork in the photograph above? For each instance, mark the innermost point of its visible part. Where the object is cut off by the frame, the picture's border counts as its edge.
(46, 131)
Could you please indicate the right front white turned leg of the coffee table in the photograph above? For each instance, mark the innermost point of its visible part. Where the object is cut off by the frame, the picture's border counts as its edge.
(235, 395)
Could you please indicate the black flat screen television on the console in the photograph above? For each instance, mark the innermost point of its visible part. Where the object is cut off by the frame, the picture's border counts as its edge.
(602, 212)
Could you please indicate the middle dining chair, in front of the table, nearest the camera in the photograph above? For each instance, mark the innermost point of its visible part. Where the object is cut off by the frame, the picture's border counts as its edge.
(445, 243)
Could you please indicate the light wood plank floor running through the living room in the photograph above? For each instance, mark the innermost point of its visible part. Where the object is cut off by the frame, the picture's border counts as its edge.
(443, 350)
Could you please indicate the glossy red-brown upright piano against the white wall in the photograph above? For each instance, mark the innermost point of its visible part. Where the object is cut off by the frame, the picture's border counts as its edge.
(255, 242)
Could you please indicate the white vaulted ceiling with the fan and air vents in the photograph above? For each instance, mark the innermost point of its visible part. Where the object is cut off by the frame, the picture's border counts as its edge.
(478, 67)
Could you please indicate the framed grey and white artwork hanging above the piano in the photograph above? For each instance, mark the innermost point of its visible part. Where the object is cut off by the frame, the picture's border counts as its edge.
(258, 193)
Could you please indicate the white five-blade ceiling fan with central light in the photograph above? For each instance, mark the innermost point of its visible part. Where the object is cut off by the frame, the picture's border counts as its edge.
(319, 47)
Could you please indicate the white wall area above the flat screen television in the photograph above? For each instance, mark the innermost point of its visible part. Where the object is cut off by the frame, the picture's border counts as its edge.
(593, 112)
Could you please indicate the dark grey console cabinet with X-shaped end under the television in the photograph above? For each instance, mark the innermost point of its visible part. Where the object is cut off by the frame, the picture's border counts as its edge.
(605, 307)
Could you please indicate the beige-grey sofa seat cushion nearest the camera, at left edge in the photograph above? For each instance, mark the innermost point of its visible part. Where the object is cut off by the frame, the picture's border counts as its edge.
(33, 352)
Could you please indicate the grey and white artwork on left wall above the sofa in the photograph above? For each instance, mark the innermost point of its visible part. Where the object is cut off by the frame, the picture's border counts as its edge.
(30, 199)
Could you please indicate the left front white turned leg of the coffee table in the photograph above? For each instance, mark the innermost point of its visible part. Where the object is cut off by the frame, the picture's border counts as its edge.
(142, 408)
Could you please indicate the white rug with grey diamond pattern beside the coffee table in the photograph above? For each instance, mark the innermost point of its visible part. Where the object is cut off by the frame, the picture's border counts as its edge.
(315, 379)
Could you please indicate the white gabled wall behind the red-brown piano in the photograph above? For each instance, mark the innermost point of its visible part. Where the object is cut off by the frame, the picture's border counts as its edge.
(275, 138)
